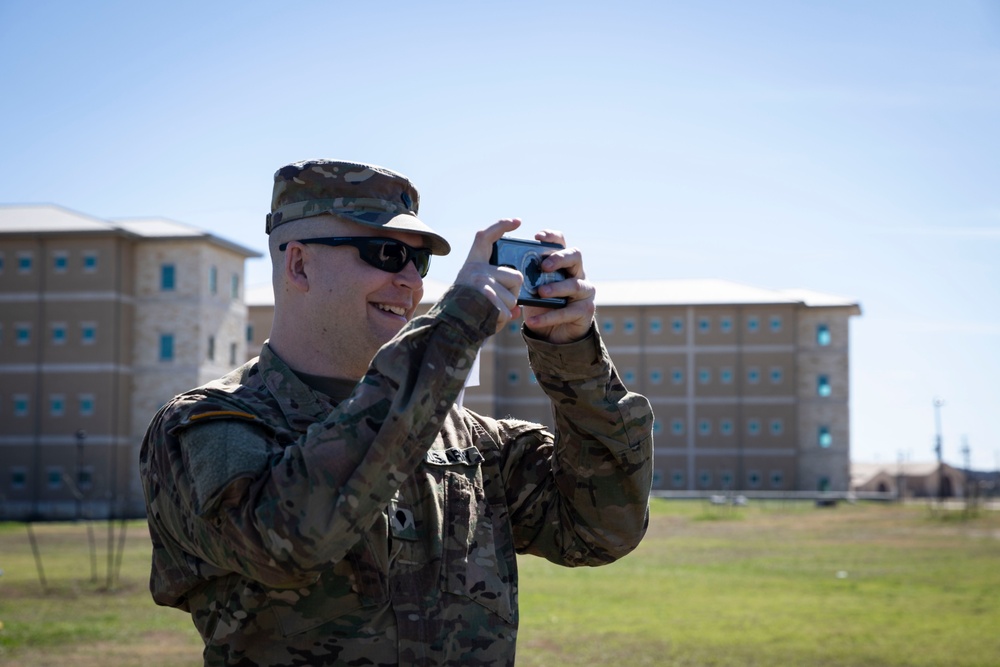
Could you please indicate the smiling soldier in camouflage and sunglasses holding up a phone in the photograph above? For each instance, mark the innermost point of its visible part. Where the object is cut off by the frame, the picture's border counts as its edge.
(329, 502)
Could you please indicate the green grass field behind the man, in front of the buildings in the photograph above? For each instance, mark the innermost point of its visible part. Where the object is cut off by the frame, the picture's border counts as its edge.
(769, 584)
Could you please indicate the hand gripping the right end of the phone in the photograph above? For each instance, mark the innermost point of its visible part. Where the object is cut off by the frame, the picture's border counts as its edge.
(569, 324)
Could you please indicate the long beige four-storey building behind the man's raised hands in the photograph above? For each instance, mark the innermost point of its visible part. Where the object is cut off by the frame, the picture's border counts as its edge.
(750, 387)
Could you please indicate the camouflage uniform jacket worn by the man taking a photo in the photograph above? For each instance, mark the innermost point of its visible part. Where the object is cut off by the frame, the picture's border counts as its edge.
(383, 530)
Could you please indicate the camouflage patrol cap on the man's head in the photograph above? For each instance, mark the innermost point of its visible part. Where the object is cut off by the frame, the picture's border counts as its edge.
(361, 193)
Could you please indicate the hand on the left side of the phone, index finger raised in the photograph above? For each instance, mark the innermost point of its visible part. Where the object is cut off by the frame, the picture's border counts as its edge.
(499, 284)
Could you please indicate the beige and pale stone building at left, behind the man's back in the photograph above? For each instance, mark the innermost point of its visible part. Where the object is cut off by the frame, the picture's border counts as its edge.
(100, 323)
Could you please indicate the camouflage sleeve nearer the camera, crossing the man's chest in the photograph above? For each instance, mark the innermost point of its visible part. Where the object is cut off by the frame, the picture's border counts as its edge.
(280, 520)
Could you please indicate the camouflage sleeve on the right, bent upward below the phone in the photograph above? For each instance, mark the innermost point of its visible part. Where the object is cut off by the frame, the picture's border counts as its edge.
(580, 496)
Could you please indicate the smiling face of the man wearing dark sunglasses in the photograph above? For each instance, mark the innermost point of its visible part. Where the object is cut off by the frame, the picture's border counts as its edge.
(359, 306)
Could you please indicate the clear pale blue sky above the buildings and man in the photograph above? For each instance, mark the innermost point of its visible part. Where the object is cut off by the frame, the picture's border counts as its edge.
(849, 147)
